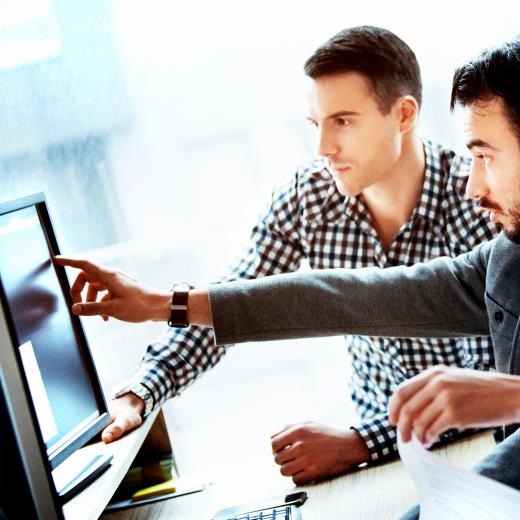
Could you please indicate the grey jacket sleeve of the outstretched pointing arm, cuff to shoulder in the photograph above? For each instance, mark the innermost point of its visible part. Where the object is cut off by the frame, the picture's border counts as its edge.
(437, 299)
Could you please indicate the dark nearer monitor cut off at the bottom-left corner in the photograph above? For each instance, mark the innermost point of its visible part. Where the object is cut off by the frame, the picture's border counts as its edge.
(26, 486)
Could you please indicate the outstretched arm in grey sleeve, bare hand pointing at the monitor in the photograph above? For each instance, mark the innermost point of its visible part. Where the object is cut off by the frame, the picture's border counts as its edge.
(440, 298)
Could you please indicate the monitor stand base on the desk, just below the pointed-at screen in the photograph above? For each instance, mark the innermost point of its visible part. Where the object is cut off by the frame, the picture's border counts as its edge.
(78, 471)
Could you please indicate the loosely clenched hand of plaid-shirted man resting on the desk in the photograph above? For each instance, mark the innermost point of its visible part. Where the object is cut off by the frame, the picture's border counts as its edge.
(312, 451)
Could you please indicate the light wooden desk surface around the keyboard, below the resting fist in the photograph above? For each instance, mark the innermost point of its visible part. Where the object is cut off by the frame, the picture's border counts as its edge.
(379, 492)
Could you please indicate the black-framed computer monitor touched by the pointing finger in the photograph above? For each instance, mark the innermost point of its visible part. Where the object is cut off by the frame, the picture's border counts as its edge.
(48, 341)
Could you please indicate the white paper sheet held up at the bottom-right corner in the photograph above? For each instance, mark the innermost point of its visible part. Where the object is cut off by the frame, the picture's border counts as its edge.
(446, 492)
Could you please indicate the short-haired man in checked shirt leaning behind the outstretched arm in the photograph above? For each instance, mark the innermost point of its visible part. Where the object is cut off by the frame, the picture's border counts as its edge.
(379, 196)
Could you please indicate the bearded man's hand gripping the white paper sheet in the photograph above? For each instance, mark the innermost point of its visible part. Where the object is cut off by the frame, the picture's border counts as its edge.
(443, 397)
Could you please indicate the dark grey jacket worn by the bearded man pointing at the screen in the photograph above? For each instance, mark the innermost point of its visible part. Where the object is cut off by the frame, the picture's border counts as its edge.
(477, 293)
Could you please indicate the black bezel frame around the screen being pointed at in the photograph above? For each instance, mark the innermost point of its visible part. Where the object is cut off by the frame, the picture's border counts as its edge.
(38, 201)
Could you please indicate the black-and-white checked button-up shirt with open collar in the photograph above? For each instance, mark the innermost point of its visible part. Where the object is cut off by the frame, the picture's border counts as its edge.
(309, 219)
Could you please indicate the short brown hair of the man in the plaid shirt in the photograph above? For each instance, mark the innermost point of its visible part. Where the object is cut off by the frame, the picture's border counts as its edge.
(379, 55)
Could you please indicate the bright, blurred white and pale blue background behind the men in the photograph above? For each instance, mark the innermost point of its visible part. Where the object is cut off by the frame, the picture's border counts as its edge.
(157, 131)
